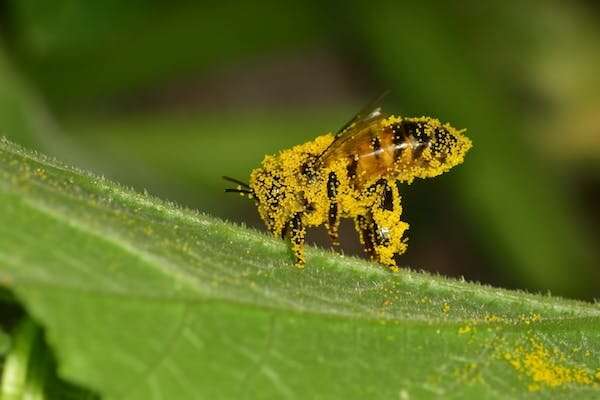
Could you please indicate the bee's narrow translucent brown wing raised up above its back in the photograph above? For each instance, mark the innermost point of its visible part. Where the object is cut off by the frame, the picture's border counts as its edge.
(353, 128)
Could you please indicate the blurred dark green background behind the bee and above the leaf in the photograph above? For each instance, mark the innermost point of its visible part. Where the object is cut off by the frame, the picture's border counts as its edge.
(168, 96)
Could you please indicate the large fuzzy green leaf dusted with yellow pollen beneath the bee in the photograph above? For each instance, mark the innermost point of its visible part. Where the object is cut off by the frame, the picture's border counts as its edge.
(141, 299)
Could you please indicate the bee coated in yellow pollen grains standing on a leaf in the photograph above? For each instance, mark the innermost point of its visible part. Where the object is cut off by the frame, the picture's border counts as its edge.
(355, 173)
